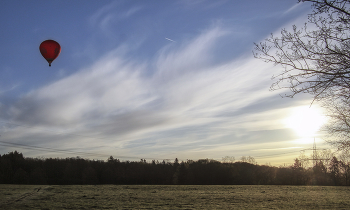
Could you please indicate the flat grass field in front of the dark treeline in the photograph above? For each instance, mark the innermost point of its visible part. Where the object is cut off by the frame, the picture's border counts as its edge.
(173, 197)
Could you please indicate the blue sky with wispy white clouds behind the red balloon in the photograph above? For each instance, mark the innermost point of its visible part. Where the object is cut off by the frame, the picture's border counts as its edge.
(150, 79)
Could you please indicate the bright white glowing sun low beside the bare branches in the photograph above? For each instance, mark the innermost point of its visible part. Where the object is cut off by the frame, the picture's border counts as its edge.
(305, 120)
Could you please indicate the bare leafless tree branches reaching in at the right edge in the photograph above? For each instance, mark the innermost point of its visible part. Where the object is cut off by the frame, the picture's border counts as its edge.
(316, 60)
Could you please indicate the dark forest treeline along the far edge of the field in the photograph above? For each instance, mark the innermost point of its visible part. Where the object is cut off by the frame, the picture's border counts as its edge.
(16, 169)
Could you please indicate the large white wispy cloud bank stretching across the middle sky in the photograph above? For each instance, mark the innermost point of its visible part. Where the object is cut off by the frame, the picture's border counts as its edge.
(187, 98)
